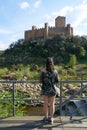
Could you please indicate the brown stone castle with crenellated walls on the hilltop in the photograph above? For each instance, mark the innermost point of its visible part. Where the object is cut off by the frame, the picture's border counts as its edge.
(49, 32)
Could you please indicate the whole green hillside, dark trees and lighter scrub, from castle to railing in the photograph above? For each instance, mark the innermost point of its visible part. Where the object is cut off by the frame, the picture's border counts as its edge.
(28, 57)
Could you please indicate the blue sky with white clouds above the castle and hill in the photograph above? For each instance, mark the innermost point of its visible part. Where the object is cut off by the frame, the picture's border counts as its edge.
(16, 16)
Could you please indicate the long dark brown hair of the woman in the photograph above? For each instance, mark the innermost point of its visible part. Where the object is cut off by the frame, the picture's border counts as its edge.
(49, 64)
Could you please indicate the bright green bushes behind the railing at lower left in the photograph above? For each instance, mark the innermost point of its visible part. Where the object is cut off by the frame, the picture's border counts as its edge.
(6, 106)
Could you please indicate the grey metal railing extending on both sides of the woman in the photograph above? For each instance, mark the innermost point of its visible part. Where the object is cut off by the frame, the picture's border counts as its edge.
(61, 82)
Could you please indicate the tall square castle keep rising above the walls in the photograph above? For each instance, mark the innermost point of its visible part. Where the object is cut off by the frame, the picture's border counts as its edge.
(60, 21)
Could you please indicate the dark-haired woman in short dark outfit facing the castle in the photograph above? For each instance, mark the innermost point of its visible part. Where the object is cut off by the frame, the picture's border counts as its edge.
(49, 78)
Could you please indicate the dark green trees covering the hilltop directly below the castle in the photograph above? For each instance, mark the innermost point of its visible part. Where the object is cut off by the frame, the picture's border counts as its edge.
(60, 47)
